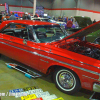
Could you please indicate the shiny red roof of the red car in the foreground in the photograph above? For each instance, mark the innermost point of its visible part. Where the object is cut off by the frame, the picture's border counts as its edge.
(28, 22)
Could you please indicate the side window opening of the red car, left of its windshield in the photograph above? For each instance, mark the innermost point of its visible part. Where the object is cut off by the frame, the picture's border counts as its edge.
(19, 30)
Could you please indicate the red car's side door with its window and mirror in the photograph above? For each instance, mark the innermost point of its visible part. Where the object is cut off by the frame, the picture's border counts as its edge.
(20, 48)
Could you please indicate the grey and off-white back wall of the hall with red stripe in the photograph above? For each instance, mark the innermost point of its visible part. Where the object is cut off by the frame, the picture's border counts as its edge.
(59, 7)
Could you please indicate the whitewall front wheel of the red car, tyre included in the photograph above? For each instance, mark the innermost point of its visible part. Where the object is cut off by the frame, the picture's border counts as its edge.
(67, 81)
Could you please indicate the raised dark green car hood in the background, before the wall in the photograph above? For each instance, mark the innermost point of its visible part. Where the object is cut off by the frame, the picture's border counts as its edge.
(83, 21)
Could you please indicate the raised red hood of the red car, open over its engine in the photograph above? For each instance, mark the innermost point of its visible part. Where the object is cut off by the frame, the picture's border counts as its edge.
(83, 32)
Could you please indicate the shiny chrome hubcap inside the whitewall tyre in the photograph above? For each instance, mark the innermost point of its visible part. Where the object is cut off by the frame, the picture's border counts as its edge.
(66, 80)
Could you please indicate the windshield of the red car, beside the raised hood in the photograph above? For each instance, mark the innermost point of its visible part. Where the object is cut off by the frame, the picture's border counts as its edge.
(49, 33)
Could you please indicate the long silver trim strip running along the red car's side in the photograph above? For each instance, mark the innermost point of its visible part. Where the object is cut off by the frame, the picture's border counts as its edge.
(35, 53)
